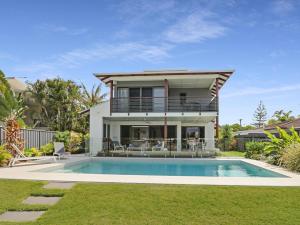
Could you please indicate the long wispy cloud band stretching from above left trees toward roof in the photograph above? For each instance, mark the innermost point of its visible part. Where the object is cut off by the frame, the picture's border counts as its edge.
(129, 51)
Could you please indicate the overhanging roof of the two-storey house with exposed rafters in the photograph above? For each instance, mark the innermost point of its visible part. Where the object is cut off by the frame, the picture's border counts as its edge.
(222, 75)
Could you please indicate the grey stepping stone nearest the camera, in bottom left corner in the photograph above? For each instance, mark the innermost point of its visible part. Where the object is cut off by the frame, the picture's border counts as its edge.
(21, 216)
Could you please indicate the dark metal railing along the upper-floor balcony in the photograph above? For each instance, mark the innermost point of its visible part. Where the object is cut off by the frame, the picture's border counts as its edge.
(163, 104)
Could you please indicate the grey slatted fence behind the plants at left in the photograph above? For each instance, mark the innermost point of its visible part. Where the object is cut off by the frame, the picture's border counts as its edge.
(33, 138)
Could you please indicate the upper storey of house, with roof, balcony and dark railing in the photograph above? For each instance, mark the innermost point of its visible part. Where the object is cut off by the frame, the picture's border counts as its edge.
(165, 91)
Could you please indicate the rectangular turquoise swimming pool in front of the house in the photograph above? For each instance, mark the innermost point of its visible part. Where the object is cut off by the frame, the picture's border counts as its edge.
(168, 167)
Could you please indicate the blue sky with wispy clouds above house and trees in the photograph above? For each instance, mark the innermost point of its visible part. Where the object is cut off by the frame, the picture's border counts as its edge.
(74, 39)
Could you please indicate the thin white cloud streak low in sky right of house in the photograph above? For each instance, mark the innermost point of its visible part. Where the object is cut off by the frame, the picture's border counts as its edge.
(259, 91)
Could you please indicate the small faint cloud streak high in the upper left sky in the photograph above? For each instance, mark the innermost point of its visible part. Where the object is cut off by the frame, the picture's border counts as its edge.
(62, 29)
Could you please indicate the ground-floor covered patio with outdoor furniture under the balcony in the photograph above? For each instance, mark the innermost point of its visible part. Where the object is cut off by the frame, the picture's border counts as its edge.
(158, 134)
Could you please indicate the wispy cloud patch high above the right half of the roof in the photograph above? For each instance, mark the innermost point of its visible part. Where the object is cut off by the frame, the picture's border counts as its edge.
(196, 27)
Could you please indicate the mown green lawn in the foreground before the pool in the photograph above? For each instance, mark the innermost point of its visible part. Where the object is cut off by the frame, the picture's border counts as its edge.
(160, 204)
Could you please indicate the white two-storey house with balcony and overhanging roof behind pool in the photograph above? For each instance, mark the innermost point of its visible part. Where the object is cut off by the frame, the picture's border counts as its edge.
(144, 108)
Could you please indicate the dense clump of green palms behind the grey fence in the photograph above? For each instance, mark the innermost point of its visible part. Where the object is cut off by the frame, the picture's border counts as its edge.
(57, 104)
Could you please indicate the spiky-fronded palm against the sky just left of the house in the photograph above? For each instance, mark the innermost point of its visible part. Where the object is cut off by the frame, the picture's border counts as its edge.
(93, 97)
